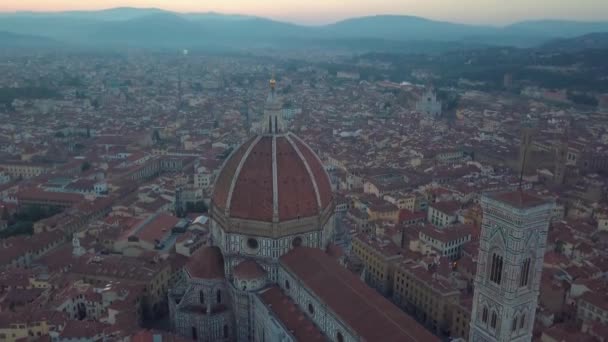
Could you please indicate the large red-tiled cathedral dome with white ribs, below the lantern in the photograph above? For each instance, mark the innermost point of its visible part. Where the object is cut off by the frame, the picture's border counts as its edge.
(272, 178)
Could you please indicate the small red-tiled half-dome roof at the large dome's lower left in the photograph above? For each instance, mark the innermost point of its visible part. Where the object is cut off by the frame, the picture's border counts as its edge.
(206, 263)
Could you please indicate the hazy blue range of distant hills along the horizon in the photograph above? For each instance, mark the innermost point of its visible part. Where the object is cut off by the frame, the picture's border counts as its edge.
(151, 27)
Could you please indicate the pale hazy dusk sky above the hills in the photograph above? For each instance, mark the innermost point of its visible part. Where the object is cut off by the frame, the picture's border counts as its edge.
(324, 11)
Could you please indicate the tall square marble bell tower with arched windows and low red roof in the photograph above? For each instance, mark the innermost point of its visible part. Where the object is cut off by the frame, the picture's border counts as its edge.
(511, 251)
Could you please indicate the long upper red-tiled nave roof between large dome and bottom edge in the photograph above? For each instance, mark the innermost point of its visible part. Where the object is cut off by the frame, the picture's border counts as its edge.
(365, 311)
